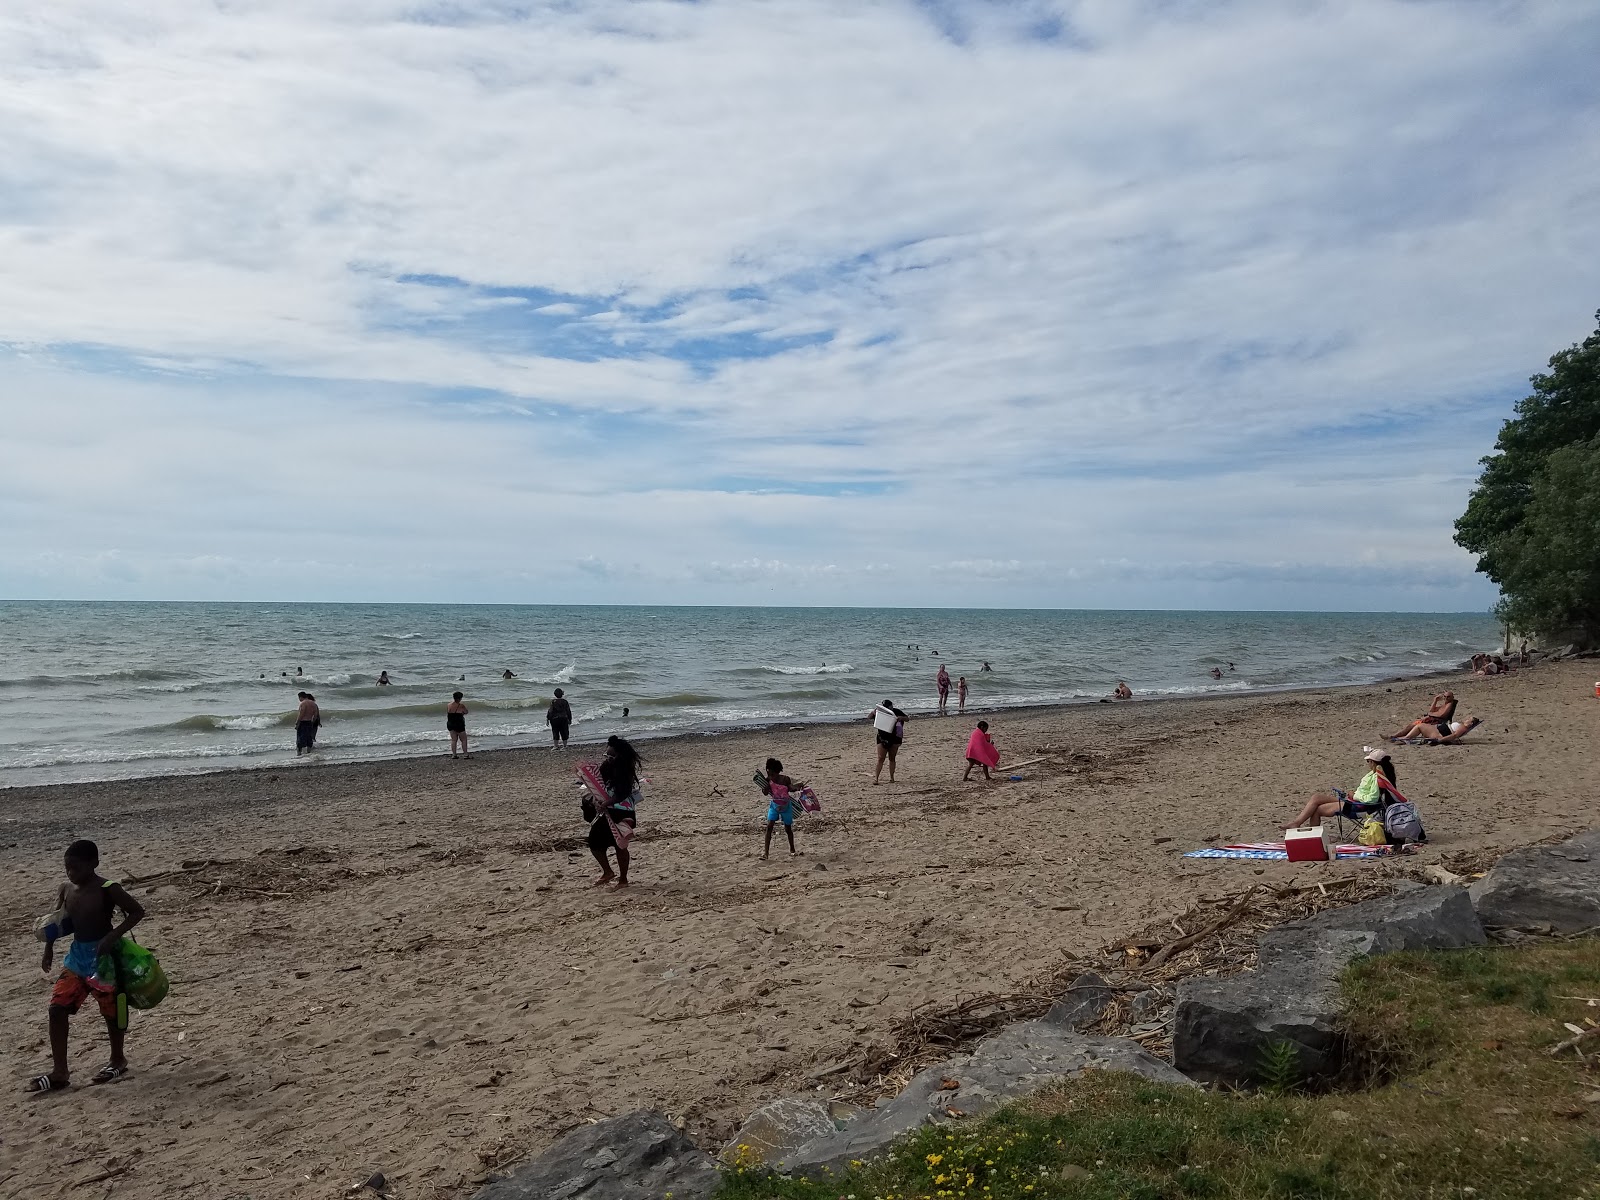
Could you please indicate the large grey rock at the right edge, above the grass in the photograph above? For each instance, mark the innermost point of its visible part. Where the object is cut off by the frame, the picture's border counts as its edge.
(1545, 887)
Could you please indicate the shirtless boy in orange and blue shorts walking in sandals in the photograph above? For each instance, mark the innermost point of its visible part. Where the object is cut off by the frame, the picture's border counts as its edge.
(90, 905)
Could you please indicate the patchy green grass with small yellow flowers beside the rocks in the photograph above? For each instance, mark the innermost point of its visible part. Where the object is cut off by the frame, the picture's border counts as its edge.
(1474, 1108)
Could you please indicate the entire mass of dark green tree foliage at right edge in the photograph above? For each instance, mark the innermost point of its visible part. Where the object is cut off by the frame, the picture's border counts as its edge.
(1511, 518)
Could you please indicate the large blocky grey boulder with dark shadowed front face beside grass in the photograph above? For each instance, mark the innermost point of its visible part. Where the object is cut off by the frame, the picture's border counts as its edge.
(1225, 1028)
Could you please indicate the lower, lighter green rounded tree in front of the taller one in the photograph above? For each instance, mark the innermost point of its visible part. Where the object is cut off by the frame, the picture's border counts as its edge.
(1551, 561)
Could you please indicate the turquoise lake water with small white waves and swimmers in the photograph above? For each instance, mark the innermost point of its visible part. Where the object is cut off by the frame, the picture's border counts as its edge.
(106, 690)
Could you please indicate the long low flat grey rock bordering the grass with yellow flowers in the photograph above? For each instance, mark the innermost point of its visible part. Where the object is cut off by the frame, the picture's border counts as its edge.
(1014, 1063)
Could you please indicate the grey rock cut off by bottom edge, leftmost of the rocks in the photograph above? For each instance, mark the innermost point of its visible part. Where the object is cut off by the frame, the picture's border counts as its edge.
(633, 1158)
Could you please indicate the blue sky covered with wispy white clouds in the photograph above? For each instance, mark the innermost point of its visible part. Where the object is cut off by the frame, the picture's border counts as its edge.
(983, 303)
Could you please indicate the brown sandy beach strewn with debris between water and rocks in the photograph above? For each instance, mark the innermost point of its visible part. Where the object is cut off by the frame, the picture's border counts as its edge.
(402, 967)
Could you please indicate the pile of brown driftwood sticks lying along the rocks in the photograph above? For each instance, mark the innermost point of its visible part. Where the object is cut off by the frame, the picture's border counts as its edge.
(1215, 937)
